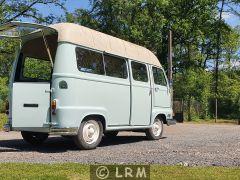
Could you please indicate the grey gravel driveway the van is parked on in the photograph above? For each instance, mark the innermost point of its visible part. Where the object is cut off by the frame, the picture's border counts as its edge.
(192, 144)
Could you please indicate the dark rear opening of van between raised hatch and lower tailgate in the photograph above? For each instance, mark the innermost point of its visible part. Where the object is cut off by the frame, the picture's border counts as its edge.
(34, 64)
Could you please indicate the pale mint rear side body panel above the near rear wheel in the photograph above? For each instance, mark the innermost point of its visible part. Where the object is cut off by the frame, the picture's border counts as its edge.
(87, 93)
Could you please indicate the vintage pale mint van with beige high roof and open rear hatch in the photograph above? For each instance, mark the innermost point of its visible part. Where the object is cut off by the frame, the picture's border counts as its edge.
(73, 81)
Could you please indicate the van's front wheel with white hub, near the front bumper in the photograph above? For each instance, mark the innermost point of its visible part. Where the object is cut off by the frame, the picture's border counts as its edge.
(156, 131)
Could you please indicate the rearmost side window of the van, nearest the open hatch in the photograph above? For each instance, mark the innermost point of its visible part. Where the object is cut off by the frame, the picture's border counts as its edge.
(89, 61)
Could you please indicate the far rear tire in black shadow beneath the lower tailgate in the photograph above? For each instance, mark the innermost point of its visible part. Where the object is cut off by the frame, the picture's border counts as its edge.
(34, 138)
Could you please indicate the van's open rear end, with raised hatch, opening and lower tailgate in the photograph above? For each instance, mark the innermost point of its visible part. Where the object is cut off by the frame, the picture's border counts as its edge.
(31, 78)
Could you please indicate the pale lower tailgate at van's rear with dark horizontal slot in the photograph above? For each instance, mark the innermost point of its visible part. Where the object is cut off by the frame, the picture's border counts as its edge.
(30, 104)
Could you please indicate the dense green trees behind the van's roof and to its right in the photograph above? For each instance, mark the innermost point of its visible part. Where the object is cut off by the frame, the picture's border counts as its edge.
(196, 27)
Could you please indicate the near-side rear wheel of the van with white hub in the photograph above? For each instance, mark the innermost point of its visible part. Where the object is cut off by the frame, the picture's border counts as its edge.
(89, 134)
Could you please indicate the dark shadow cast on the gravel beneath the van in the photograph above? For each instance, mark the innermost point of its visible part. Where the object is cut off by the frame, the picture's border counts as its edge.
(59, 144)
